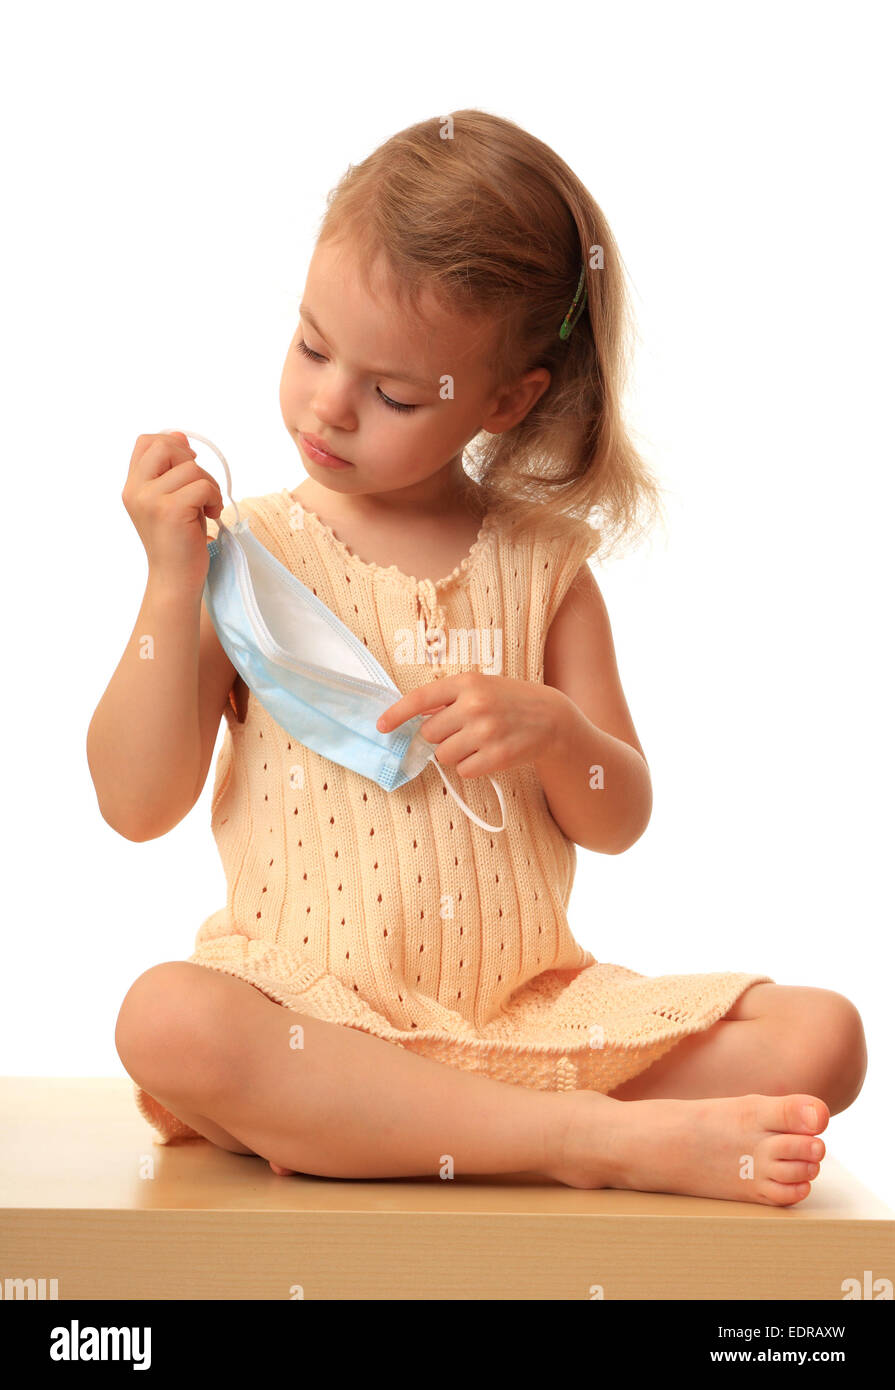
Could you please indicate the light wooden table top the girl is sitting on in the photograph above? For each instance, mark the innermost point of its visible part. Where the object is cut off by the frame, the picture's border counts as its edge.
(90, 1200)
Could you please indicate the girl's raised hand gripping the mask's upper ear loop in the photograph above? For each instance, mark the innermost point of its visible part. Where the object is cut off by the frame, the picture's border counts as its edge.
(167, 497)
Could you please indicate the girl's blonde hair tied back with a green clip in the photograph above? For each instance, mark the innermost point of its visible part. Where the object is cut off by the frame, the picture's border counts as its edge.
(497, 226)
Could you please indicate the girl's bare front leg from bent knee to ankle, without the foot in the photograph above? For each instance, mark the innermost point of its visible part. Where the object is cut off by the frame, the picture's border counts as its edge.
(341, 1106)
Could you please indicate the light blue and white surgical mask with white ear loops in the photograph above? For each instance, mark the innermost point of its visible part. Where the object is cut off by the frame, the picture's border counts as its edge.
(306, 668)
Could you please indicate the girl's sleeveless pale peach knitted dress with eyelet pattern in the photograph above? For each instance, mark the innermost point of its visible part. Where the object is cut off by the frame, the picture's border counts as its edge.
(391, 911)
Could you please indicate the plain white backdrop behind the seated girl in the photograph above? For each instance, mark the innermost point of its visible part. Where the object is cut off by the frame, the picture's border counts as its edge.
(165, 174)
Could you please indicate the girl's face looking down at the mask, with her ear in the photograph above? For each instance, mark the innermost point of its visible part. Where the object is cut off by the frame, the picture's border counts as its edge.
(390, 394)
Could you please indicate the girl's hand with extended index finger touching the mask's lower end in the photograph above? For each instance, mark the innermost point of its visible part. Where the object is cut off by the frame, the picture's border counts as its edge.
(484, 723)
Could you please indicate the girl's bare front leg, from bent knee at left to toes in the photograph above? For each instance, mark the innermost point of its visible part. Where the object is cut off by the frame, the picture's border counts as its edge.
(350, 1106)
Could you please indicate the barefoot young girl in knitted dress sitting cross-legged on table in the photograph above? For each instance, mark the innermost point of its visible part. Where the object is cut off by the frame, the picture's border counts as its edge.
(394, 990)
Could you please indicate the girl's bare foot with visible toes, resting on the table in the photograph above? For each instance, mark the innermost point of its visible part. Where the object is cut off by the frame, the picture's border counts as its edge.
(747, 1149)
